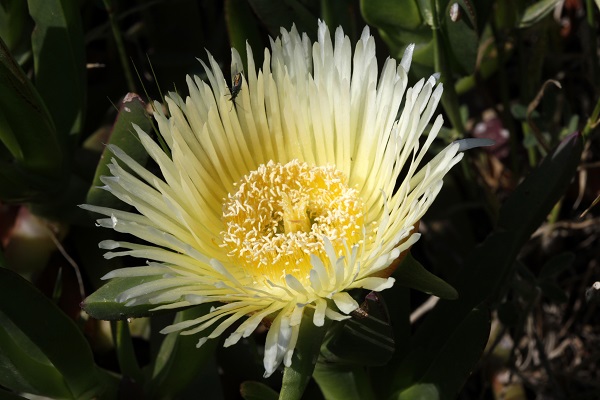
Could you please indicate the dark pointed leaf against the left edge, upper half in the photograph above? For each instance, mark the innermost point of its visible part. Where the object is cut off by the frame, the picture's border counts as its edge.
(31, 155)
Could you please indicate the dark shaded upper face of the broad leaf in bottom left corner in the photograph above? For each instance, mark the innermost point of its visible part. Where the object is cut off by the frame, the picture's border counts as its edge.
(54, 333)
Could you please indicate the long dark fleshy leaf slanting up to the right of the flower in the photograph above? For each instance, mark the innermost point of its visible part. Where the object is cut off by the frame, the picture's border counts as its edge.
(485, 271)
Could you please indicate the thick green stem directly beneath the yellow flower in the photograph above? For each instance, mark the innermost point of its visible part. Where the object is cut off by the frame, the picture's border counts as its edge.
(297, 376)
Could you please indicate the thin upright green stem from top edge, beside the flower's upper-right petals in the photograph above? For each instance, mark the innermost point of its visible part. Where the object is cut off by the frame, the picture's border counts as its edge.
(449, 98)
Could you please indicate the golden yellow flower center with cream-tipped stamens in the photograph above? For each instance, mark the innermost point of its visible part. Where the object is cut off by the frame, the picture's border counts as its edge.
(280, 215)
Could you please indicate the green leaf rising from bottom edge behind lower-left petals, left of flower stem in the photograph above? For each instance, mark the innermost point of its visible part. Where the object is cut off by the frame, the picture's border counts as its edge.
(178, 361)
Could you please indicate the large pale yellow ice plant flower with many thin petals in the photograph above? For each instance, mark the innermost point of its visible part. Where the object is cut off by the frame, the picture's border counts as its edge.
(286, 201)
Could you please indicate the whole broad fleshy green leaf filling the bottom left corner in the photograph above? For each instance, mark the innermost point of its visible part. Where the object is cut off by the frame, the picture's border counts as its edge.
(37, 347)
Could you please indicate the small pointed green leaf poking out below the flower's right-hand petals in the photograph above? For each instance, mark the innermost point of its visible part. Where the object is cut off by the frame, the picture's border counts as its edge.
(412, 274)
